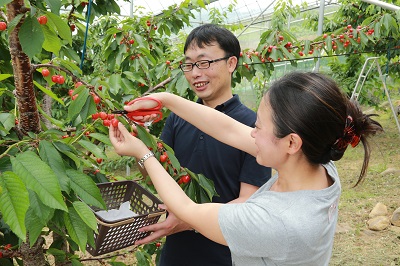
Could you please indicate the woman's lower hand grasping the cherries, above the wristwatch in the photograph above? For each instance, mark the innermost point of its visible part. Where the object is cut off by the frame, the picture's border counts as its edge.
(126, 144)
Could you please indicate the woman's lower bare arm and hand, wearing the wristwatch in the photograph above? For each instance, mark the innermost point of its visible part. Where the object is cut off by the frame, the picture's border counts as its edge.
(202, 217)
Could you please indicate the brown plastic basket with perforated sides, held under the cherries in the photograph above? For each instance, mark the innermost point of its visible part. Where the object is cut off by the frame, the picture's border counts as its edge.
(123, 233)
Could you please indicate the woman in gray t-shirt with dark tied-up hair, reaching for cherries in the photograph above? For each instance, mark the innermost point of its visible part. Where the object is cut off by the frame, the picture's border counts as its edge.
(304, 123)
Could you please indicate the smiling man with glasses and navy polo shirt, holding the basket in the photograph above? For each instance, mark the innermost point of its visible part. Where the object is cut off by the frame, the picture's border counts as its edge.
(211, 56)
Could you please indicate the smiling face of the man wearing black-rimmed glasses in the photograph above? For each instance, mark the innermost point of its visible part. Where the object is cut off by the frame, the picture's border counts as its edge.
(210, 83)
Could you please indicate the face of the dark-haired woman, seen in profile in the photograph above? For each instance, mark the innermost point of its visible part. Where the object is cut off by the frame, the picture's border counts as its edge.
(271, 150)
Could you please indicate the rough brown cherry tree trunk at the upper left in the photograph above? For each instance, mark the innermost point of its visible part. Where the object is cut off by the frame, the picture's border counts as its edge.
(23, 77)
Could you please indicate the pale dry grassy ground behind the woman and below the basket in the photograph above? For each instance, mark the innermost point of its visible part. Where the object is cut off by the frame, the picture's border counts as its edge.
(354, 243)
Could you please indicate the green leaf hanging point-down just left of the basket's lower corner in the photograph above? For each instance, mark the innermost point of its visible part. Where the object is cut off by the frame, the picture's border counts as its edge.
(76, 228)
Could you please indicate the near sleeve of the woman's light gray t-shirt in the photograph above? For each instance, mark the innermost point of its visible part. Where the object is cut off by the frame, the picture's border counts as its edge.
(251, 230)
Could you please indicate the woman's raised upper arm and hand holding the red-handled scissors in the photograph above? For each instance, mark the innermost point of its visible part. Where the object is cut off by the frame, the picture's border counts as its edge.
(208, 120)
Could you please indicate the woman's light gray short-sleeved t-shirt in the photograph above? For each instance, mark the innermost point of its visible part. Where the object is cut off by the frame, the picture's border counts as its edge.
(283, 228)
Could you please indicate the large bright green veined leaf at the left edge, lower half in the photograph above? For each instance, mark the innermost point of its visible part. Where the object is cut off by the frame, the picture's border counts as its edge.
(14, 203)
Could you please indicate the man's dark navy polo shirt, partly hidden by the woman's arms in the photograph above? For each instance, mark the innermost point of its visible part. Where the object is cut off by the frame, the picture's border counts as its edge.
(225, 165)
